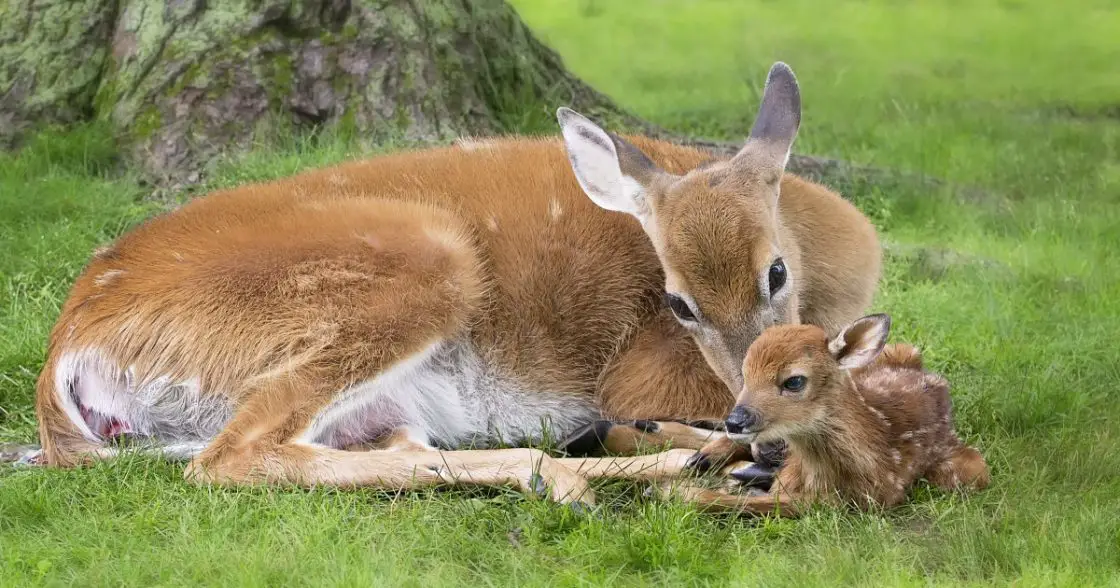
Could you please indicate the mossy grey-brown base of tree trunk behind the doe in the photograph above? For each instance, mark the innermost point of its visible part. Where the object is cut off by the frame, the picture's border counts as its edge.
(184, 81)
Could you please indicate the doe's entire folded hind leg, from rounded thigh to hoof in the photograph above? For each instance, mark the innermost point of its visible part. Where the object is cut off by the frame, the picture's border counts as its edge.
(379, 315)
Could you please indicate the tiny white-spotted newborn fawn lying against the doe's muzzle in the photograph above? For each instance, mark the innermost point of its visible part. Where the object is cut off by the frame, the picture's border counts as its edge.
(863, 422)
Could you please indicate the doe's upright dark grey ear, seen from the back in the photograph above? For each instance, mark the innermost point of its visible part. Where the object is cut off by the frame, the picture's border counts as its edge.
(778, 122)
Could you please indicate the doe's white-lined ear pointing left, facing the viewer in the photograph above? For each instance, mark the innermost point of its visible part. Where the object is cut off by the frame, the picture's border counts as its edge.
(613, 173)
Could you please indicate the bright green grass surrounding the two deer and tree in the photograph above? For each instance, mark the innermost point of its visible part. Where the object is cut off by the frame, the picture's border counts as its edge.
(1011, 286)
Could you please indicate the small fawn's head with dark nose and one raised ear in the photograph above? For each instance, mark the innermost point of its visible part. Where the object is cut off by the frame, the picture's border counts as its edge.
(794, 376)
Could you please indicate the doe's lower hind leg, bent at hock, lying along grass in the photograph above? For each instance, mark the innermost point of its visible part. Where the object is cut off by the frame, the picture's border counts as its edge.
(267, 443)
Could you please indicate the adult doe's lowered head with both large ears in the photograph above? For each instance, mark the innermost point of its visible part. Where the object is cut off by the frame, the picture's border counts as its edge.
(715, 229)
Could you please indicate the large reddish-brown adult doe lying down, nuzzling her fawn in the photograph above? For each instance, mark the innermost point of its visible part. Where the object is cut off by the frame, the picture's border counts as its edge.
(341, 326)
